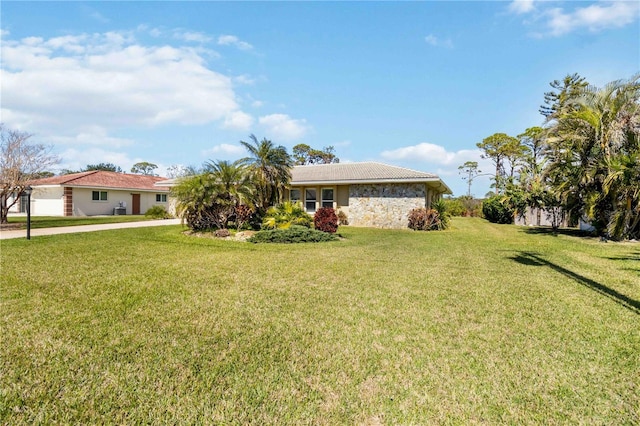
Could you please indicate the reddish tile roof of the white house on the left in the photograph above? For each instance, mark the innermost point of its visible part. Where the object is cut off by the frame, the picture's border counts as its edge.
(104, 179)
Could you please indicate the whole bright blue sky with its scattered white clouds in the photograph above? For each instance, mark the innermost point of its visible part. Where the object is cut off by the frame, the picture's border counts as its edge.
(414, 84)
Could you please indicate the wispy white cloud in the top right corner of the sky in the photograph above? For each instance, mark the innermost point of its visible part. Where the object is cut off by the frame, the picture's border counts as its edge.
(595, 17)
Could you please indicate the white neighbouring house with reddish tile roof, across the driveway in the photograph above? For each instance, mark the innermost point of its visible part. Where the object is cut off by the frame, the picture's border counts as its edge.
(95, 193)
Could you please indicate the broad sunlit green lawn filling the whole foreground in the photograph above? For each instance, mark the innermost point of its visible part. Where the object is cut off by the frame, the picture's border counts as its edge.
(480, 324)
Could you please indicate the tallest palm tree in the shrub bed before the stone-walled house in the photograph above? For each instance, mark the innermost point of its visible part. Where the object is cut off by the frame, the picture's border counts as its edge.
(270, 167)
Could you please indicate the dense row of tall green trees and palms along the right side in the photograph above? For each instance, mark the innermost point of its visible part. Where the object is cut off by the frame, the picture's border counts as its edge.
(582, 163)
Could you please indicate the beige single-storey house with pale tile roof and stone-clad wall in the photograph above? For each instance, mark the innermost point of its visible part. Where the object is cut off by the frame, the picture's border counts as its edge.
(370, 194)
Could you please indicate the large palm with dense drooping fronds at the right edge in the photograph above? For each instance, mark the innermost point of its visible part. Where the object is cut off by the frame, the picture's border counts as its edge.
(591, 148)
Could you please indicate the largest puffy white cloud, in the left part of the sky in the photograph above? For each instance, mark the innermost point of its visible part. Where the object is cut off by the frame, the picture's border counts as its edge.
(79, 88)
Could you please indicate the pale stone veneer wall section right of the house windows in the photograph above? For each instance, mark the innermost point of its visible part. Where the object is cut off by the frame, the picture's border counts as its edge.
(384, 206)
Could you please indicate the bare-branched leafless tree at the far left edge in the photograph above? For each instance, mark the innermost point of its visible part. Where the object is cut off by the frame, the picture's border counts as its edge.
(20, 162)
